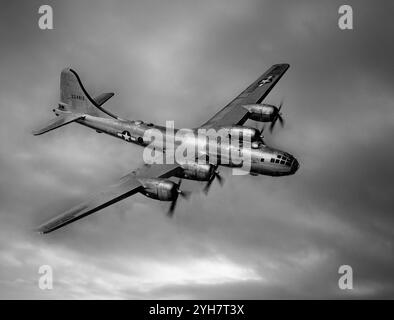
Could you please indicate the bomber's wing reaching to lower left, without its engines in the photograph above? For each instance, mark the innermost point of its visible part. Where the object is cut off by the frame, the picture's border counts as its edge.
(125, 187)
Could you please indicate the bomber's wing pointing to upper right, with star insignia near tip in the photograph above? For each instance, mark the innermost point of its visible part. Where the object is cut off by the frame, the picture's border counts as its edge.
(234, 113)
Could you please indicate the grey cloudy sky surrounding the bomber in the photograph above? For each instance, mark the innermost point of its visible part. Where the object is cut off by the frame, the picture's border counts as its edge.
(255, 238)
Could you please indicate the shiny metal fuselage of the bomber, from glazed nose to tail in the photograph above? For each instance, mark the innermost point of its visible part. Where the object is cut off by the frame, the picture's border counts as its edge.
(263, 159)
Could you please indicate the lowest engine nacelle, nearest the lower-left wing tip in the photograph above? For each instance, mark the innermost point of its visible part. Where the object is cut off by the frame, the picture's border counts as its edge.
(159, 189)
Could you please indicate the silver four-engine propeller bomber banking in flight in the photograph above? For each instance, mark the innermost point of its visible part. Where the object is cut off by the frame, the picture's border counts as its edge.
(152, 180)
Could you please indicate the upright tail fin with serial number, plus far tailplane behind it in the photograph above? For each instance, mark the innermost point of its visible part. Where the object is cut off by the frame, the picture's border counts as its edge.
(78, 100)
